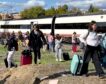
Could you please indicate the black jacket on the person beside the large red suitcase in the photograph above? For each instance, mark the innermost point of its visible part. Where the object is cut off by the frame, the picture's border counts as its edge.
(36, 41)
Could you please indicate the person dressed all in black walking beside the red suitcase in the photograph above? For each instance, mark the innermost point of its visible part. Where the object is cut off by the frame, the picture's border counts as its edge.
(36, 40)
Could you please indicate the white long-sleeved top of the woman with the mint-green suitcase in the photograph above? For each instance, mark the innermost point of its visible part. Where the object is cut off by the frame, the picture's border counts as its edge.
(92, 39)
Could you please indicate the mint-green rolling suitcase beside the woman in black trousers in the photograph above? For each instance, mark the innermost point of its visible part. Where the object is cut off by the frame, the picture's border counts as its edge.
(76, 65)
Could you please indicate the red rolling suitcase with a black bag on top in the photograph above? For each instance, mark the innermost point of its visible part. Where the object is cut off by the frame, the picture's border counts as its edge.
(26, 57)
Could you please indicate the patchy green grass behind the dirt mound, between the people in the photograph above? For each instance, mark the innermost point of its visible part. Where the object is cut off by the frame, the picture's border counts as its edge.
(47, 57)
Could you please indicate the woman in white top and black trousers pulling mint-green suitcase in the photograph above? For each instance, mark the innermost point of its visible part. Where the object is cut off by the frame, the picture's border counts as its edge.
(92, 42)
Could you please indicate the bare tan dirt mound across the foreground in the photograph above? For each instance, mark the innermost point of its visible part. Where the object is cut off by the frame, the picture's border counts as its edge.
(28, 74)
